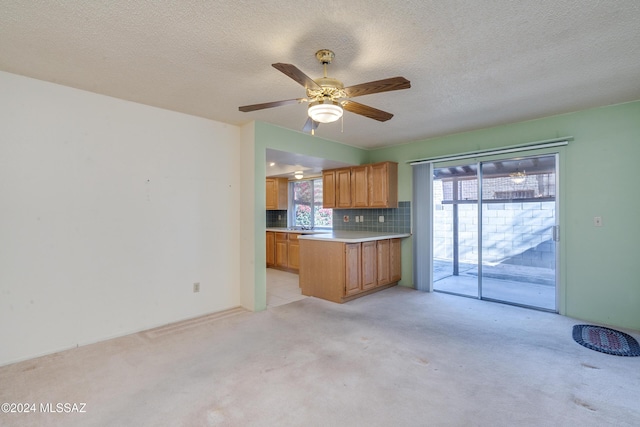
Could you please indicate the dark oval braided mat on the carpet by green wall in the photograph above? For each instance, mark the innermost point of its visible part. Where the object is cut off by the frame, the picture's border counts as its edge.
(606, 340)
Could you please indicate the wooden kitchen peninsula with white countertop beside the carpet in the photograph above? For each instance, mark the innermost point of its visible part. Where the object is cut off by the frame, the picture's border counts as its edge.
(344, 265)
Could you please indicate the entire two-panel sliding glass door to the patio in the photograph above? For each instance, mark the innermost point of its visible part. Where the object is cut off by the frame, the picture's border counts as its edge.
(502, 245)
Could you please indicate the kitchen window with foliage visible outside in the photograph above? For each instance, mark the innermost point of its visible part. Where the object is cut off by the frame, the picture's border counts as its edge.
(306, 205)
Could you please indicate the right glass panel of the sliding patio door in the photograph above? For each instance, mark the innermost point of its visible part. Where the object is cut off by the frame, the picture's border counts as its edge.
(518, 223)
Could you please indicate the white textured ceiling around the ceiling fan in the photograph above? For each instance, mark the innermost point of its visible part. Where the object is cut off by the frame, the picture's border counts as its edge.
(472, 64)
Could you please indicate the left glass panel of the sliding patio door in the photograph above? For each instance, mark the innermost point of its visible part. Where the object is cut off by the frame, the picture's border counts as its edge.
(455, 230)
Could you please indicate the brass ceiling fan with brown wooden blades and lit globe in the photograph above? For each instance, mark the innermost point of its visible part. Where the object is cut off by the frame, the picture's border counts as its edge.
(327, 97)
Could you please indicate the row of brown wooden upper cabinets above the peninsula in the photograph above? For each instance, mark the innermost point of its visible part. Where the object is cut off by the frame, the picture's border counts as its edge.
(364, 186)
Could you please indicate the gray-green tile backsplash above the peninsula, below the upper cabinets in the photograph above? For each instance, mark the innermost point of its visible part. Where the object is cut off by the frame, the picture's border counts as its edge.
(396, 220)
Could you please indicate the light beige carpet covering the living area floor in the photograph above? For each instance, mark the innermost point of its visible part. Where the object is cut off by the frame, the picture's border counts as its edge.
(395, 358)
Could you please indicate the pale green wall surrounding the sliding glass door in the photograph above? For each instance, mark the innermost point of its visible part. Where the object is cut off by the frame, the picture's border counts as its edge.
(598, 177)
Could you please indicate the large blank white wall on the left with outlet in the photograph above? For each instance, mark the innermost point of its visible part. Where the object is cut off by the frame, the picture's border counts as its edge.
(109, 212)
